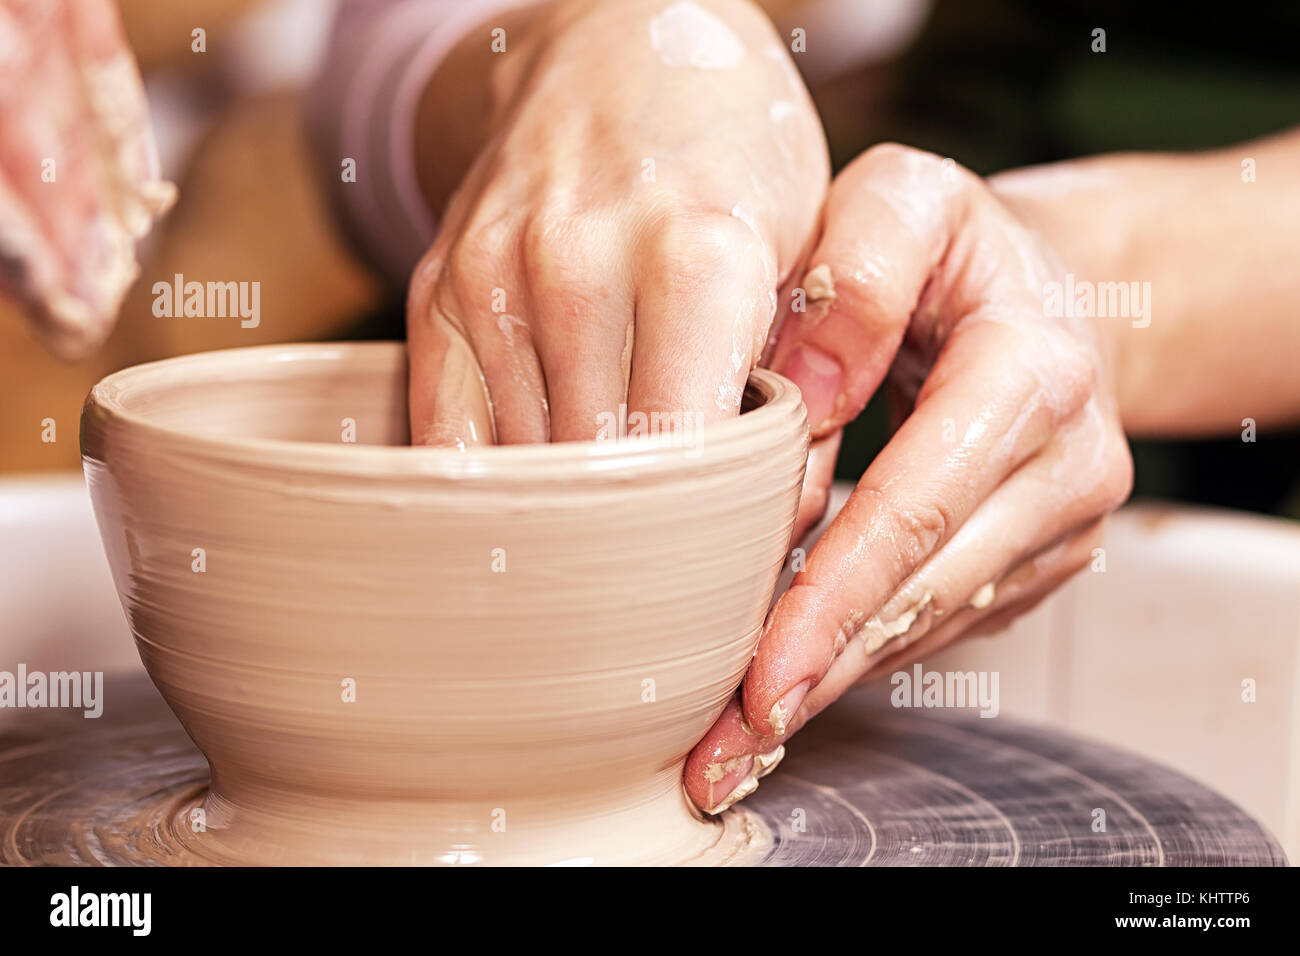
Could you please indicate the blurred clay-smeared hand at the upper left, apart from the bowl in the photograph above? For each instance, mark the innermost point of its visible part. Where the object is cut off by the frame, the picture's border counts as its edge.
(79, 171)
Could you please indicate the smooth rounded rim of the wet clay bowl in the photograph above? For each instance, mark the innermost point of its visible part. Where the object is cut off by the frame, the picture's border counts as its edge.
(769, 427)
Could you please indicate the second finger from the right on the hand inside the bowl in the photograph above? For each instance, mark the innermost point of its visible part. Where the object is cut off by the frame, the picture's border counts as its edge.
(583, 305)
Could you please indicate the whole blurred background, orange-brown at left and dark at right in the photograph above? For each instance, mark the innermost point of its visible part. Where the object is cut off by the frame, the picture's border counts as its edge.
(994, 84)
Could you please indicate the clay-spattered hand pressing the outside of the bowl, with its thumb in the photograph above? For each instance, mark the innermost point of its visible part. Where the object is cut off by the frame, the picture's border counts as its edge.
(990, 495)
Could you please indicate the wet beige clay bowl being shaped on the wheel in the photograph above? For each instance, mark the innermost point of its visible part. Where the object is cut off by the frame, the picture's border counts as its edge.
(397, 655)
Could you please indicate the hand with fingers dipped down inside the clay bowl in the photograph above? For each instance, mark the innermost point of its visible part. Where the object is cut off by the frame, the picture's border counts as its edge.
(652, 172)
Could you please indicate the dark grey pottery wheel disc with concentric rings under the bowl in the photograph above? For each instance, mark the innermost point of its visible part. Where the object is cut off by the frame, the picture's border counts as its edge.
(864, 785)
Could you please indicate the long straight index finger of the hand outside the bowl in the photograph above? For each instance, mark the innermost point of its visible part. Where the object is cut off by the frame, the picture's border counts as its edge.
(912, 501)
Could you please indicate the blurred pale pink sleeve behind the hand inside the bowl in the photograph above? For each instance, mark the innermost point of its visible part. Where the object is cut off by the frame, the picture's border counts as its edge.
(363, 109)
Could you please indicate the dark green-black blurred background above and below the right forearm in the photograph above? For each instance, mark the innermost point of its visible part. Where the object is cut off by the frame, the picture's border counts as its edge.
(998, 84)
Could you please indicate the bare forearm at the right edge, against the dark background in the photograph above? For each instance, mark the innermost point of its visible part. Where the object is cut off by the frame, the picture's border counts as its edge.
(1221, 338)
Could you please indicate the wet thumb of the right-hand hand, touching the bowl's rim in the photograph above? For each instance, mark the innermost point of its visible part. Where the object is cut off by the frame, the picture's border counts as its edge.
(887, 223)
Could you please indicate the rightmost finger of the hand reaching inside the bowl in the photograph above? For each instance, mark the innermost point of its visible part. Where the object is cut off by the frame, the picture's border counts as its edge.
(705, 302)
